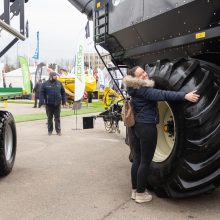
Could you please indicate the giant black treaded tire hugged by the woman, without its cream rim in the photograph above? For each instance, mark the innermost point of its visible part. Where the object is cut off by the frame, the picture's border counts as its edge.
(193, 166)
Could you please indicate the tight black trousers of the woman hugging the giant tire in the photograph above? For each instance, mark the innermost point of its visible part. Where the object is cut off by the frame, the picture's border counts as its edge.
(143, 139)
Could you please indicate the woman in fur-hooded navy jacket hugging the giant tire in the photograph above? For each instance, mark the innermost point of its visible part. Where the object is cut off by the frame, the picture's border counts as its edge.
(143, 135)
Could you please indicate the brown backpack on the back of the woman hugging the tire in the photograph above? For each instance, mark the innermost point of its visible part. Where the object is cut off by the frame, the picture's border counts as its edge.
(128, 114)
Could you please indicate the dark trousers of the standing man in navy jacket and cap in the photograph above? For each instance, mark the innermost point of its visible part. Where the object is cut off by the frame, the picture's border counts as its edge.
(53, 111)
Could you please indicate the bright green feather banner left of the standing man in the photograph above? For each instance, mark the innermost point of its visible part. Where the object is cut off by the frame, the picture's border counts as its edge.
(26, 75)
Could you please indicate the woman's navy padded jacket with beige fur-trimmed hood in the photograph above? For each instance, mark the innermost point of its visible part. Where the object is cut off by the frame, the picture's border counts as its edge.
(145, 97)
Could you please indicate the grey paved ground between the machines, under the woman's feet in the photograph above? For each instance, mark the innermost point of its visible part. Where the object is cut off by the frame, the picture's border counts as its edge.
(83, 175)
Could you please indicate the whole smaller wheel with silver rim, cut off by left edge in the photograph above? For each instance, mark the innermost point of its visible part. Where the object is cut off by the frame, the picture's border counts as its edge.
(8, 142)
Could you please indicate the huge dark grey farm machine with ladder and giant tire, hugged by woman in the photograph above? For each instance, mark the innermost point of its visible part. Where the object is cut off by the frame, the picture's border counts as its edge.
(179, 44)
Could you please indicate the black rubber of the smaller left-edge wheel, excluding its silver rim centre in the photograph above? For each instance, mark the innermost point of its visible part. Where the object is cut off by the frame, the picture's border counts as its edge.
(6, 165)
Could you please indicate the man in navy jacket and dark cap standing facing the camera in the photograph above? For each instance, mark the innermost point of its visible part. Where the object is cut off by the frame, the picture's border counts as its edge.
(52, 94)
